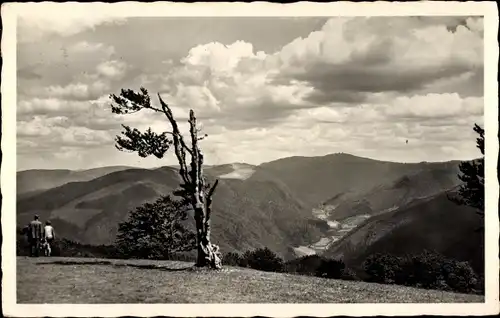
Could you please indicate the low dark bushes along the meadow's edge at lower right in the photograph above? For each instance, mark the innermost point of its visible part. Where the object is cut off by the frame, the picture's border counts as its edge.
(428, 270)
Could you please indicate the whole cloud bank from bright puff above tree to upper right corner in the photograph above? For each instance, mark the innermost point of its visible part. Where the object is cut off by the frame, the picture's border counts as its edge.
(348, 62)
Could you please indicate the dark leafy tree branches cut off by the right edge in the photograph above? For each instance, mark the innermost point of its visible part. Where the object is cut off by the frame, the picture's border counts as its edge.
(471, 192)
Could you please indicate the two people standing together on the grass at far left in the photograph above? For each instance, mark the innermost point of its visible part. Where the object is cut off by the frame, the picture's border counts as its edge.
(40, 237)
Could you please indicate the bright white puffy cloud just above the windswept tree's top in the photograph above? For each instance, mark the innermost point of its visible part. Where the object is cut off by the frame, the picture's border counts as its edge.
(219, 80)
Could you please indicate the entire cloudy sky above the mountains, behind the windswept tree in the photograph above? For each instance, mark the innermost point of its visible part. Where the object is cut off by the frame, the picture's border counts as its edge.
(263, 88)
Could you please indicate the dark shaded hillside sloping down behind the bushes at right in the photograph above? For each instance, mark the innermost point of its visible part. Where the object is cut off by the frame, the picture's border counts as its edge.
(432, 223)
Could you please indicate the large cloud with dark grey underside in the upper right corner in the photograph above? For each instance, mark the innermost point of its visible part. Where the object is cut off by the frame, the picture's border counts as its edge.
(353, 55)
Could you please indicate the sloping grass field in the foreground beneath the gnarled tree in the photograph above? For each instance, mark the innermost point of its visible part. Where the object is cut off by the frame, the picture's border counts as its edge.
(77, 281)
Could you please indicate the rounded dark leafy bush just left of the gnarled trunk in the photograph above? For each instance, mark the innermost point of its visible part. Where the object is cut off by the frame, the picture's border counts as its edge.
(155, 231)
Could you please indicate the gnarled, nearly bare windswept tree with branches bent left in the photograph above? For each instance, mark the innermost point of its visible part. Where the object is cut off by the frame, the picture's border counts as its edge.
(194, 188)
